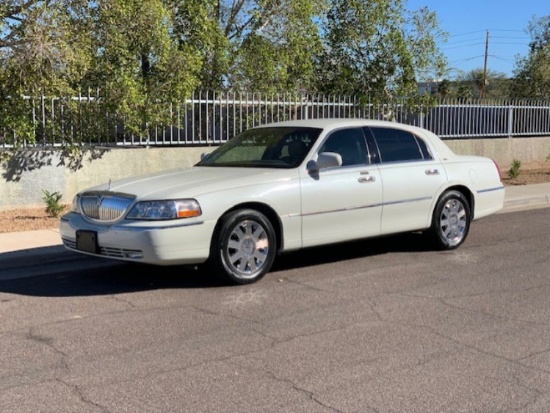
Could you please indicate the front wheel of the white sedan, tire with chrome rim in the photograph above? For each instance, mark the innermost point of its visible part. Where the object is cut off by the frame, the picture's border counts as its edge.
(244, 248)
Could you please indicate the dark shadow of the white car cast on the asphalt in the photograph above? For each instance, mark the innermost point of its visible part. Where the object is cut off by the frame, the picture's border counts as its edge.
(95, 276)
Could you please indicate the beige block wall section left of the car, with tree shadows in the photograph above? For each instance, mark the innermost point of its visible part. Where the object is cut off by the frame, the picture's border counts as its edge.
(23, 181)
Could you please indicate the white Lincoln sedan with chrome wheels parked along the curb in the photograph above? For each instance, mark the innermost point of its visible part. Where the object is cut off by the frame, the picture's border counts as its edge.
(286, 186)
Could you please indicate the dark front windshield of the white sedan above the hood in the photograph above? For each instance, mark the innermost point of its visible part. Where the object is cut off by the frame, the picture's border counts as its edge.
(273, 147)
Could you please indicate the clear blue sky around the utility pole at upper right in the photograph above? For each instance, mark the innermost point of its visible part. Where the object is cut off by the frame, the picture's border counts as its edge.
(467, 22)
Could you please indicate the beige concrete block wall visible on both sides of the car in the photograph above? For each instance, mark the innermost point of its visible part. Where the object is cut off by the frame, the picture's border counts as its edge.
(23, 180)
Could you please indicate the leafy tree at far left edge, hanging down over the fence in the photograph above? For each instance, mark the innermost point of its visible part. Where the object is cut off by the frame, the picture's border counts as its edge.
(41, 53)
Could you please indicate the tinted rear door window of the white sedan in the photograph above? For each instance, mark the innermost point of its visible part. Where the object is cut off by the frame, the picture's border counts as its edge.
(397, 145)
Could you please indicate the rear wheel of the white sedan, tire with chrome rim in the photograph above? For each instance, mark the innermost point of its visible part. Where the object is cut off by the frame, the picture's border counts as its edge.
(451, 220)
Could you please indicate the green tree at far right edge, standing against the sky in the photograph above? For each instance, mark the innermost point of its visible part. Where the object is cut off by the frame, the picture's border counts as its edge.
(532, 73)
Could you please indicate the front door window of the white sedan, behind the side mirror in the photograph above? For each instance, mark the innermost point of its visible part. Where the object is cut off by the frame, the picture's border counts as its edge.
(349, 143)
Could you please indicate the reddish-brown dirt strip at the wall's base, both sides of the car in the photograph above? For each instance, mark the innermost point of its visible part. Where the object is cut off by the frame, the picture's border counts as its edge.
(30, 219)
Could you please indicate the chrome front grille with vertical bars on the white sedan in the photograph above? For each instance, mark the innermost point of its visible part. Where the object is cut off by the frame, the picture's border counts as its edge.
(105, 206)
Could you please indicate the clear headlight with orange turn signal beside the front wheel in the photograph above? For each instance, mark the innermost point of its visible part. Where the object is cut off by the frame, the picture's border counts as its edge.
(171, 209)
